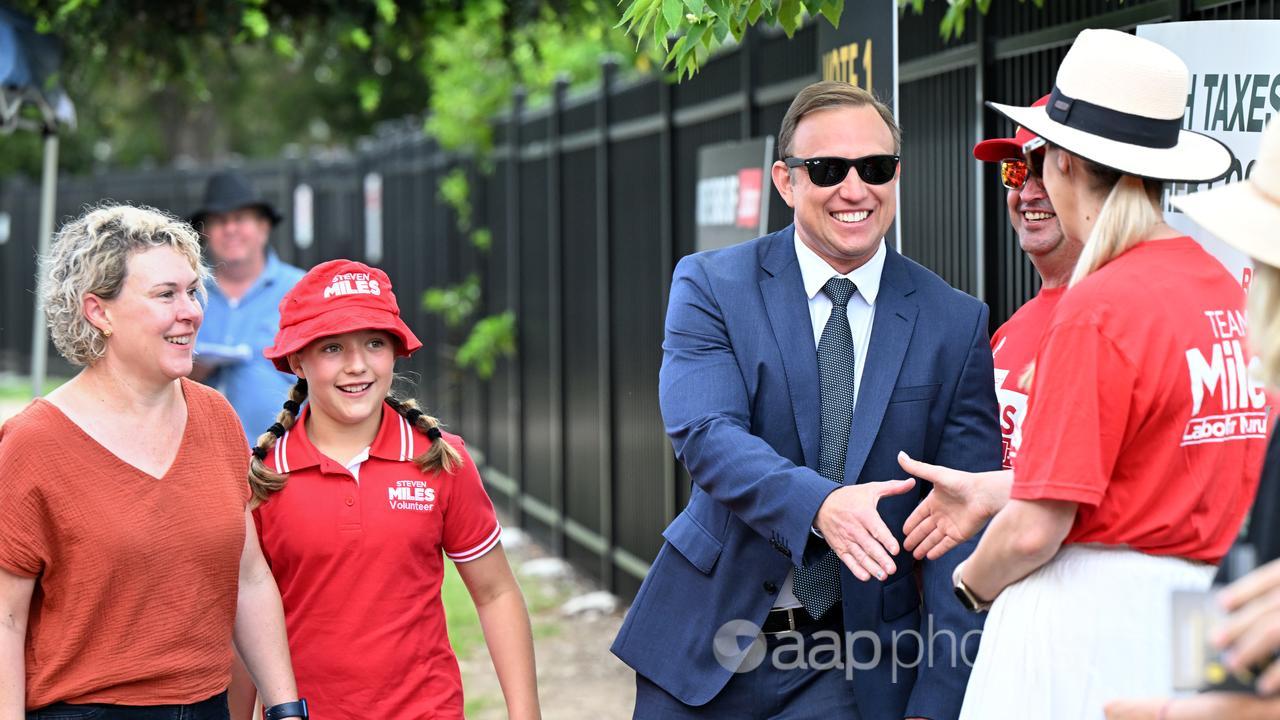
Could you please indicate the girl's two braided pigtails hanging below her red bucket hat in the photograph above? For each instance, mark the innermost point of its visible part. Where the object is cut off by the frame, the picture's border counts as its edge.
(266, 482)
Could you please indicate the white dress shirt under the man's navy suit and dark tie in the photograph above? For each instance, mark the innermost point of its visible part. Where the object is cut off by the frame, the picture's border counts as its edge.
(862, 308)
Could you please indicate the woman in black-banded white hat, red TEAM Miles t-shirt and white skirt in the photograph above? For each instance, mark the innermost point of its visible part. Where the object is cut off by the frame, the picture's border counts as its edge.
(1140, 453)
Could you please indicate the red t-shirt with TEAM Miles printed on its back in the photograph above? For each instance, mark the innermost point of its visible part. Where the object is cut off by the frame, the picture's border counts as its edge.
(1142, 409)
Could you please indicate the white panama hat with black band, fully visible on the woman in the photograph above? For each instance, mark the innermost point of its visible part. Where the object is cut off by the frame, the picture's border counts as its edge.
(1119, 101)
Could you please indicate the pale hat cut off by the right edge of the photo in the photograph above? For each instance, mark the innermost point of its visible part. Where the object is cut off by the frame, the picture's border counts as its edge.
(1245, 215)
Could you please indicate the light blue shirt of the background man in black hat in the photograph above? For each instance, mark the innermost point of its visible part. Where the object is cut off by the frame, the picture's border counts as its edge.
(234, 338)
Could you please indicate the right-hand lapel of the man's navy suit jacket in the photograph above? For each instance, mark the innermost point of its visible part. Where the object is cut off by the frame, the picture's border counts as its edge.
(892, 332)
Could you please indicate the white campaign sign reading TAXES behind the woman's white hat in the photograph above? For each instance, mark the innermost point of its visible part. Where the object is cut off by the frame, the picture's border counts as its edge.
(1235, 93)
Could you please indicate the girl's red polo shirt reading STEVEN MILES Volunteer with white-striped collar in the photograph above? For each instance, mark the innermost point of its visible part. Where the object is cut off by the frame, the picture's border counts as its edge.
(360, 568)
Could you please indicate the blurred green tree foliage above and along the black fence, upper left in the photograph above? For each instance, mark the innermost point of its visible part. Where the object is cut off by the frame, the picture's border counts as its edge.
(158, 81)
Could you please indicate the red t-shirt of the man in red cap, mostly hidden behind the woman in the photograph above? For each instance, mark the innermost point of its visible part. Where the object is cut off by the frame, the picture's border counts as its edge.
(1013, 348)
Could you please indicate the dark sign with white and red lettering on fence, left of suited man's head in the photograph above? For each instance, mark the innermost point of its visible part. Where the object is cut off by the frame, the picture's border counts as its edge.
(734, 189)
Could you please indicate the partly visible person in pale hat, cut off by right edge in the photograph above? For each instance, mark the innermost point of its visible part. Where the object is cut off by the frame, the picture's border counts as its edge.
(1246, 216)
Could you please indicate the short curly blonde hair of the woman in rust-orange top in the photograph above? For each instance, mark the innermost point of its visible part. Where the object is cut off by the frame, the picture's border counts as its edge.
(90, 256)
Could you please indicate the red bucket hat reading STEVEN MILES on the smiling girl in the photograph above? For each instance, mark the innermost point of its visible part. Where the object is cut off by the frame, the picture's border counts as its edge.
(336, 298)
